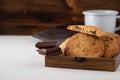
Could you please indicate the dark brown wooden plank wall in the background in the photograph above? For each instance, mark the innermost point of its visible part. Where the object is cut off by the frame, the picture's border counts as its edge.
(31, 16)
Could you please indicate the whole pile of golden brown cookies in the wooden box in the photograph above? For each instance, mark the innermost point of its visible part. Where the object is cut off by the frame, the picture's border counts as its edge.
(91, 42)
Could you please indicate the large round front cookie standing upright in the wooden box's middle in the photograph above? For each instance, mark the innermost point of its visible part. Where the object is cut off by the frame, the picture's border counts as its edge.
(84, 45)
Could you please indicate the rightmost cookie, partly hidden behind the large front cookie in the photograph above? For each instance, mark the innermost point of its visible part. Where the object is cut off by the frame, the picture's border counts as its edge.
(111, 45)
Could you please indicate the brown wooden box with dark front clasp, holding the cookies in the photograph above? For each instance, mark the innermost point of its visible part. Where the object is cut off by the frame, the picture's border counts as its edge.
(106, 64)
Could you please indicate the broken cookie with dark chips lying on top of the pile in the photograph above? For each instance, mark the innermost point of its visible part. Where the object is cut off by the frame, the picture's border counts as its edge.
(91, 30)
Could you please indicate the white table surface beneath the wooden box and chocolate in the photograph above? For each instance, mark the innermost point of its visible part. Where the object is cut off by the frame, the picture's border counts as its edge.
(20, 61)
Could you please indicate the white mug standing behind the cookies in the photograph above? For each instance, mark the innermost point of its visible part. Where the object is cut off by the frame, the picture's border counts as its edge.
(105, 19)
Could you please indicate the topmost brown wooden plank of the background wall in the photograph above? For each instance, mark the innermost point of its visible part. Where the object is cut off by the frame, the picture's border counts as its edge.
(56, 5)
